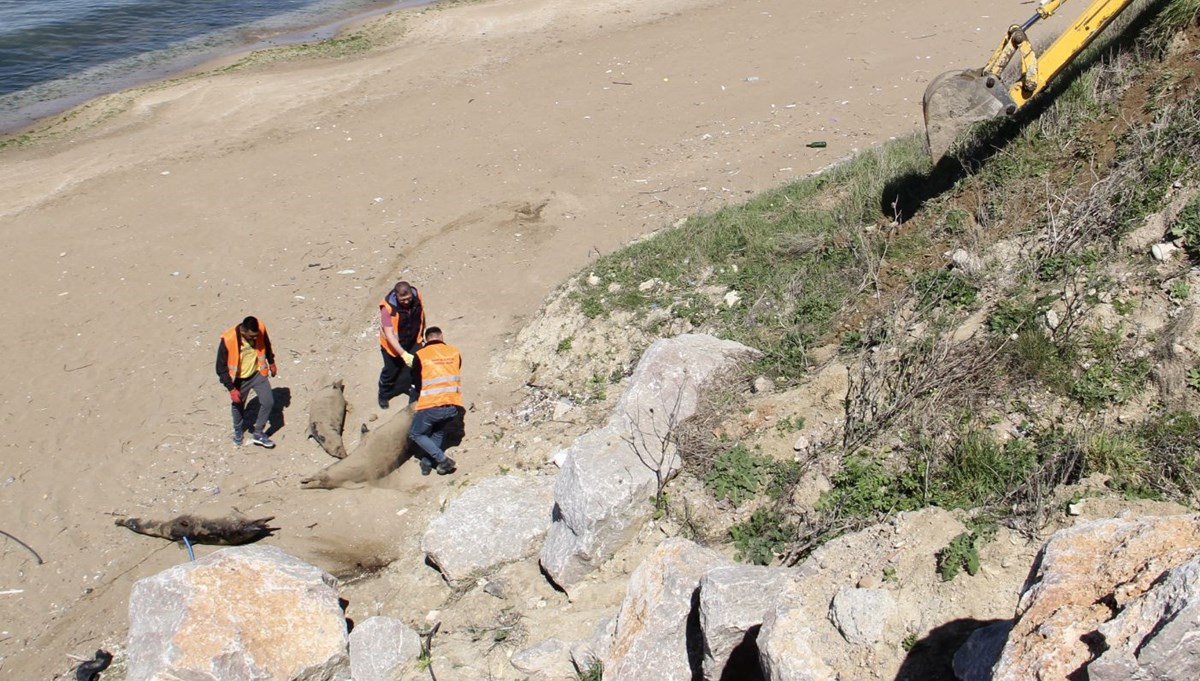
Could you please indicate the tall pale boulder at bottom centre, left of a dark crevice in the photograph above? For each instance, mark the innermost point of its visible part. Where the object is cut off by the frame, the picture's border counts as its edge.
(653, 638)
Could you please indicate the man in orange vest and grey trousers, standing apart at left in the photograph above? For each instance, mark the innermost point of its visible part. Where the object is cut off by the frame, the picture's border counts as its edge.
(244, 359)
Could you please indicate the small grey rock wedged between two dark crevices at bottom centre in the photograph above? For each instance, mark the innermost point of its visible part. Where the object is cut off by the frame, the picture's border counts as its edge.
(734, 601)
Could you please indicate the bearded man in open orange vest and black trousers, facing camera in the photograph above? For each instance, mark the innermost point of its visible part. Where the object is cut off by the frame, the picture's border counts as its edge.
(401, 329)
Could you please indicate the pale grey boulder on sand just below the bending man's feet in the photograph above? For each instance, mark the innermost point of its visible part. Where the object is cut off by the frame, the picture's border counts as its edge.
(499, 521)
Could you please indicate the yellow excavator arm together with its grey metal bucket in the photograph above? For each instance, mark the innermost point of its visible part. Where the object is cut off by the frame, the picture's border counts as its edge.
(957, 100)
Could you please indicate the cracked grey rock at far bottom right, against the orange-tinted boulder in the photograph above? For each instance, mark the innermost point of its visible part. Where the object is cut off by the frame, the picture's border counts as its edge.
(1157, 637)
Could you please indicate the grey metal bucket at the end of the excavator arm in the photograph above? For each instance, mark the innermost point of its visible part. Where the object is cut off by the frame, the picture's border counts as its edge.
(957, 100)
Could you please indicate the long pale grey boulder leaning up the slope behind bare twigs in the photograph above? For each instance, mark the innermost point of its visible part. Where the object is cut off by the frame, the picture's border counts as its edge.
(608, 477)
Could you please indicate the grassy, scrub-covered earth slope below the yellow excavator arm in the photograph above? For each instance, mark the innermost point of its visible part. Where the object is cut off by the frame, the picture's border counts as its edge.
(982, 390)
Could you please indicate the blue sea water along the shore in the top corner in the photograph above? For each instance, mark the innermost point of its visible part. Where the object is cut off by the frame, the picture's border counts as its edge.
(56, 55)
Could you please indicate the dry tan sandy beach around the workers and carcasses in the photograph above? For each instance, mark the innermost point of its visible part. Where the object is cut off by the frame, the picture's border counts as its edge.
(488, 153)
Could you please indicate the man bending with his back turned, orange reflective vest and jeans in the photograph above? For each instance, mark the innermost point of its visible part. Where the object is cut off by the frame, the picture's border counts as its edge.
(437, 377)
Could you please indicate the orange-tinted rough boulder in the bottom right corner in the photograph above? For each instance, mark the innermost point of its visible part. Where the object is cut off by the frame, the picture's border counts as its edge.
(1087, 576)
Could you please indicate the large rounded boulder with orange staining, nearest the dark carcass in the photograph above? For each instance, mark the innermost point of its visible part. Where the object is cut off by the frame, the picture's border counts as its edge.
(239, 614)
